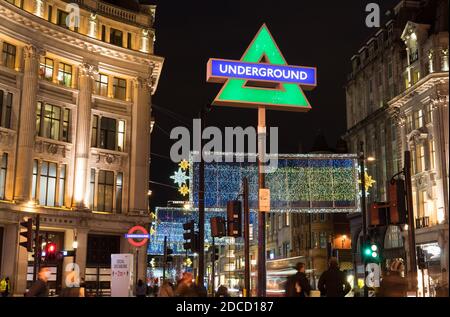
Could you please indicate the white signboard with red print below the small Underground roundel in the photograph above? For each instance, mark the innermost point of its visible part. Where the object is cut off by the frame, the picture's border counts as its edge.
(121, 275)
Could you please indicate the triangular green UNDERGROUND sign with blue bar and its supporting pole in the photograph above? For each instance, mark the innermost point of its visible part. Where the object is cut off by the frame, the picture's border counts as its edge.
(262, 80)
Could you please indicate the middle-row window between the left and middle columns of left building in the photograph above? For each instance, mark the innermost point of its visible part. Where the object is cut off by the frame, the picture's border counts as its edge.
(53, 122)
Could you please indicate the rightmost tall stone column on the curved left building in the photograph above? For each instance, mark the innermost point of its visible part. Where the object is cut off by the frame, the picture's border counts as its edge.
(140, 146)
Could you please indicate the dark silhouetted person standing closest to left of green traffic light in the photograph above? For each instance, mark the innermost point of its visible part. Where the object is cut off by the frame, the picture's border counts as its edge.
(333, 282)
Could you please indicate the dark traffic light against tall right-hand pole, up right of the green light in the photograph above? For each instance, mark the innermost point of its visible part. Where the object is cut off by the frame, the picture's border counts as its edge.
(397, 199)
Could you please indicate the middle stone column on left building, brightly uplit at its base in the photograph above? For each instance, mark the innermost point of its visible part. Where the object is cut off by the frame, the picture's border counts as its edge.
(82, 145)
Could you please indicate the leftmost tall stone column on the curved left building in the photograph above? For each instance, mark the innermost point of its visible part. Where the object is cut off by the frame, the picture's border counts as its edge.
(27, 128)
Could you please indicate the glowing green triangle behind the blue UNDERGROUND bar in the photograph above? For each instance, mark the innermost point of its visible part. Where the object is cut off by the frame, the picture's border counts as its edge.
(287, 97)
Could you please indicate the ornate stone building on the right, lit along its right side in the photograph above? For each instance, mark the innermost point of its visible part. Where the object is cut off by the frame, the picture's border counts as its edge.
(397, 100)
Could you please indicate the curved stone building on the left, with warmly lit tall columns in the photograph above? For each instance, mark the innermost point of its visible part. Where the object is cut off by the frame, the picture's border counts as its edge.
(76, 80)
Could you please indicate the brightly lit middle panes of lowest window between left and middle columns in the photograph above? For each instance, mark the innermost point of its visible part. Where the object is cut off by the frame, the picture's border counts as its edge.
(47, 184)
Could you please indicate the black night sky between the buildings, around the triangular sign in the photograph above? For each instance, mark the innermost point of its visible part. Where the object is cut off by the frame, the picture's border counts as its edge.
(317, 33)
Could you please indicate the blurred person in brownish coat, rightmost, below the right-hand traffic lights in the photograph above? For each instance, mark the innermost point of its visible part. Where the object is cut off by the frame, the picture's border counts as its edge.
(393, 284)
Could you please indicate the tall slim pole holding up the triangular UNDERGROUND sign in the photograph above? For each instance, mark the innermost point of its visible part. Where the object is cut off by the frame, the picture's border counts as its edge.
(261, 215)
